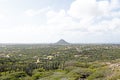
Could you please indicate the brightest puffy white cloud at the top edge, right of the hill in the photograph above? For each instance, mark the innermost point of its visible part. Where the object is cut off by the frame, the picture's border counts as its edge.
(89, 9)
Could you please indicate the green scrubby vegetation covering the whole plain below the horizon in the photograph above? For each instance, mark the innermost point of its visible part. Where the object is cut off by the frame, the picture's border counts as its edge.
(60, 62)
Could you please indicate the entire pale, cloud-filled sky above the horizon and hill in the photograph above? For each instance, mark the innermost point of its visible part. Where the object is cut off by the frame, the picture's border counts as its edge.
(47, 21)
